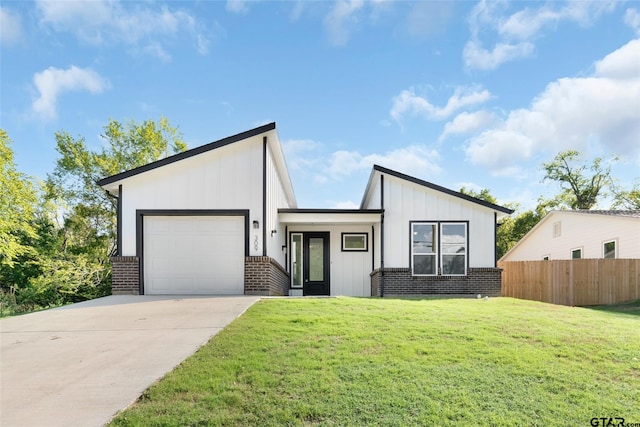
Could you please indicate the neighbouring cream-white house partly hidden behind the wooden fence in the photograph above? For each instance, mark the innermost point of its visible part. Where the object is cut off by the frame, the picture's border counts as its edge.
(580, 234)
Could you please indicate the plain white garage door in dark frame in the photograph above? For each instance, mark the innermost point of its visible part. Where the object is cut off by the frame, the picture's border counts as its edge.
(194, 255)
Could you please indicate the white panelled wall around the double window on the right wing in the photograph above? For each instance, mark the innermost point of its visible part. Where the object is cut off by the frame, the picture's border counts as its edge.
(405, 201)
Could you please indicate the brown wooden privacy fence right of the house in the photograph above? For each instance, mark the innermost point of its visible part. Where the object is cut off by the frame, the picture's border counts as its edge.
(572, 282)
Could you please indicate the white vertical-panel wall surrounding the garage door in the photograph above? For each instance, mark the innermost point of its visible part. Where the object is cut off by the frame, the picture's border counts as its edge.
(228, 177)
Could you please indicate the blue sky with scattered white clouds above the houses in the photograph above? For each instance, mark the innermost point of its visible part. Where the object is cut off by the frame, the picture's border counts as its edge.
(474, 94)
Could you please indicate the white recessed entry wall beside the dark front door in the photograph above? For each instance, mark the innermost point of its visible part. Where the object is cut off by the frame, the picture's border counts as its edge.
(349, 270)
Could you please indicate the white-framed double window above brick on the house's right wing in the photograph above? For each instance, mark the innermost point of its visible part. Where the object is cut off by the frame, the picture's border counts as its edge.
(438, 248)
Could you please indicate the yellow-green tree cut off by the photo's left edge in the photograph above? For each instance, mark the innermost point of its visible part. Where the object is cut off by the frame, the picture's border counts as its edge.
(18, 200)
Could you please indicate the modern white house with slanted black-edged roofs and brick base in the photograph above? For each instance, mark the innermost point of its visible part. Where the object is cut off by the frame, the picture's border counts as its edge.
(222, 219)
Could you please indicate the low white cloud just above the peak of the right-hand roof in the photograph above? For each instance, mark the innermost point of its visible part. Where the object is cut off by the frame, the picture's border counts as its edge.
(416, 160)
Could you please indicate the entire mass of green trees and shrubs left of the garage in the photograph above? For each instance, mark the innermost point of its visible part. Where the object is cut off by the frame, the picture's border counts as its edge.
(46, 263)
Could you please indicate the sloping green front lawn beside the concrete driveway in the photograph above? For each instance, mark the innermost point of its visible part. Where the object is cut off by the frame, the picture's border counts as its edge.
(395, 362)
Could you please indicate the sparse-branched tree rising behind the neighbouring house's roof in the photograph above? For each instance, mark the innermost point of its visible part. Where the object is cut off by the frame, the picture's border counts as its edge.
(581, 184)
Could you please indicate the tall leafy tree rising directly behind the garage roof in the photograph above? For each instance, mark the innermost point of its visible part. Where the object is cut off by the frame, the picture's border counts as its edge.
(90, 220)
